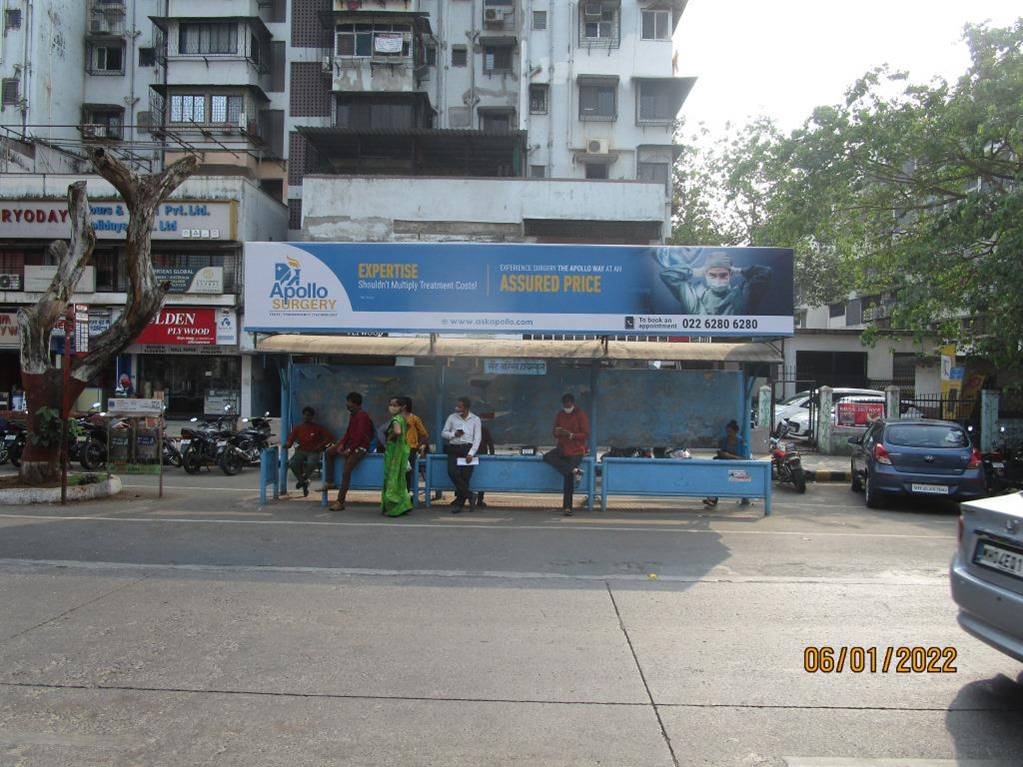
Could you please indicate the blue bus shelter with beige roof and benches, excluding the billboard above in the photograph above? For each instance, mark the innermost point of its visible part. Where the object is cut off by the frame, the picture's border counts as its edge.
(636, 394)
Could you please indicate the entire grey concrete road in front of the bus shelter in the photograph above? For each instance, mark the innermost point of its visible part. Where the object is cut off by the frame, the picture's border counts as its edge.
(202, 629)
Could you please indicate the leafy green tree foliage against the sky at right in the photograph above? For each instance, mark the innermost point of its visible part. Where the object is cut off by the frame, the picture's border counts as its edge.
(915, 191)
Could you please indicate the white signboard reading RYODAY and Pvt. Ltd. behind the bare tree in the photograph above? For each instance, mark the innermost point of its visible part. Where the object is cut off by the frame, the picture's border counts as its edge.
(174, 220)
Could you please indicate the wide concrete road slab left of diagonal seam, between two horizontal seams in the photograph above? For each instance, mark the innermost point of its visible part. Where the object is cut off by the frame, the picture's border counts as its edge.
(387, 638)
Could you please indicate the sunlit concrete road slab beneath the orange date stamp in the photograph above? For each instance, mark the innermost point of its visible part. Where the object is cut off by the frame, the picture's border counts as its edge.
(743, 645)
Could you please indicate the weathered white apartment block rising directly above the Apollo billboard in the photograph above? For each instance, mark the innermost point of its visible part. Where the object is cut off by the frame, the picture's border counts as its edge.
(386, 96)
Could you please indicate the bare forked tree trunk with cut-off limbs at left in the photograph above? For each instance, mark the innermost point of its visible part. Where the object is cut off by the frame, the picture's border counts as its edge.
(143, 196)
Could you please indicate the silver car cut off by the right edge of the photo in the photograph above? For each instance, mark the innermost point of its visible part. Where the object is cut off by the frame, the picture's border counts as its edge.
(988, 572)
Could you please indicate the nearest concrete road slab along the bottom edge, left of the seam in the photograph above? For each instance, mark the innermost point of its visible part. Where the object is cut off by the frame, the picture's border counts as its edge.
(121, 729)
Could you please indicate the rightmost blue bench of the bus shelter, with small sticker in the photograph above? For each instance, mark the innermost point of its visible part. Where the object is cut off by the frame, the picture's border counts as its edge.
(694, 478)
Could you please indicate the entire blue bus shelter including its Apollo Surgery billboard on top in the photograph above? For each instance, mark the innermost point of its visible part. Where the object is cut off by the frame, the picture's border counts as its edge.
(470, 317)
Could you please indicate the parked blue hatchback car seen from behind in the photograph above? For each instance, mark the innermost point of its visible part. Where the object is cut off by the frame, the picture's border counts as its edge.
(916, 458)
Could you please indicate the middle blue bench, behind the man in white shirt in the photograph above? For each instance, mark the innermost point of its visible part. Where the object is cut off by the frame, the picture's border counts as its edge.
(511, 474)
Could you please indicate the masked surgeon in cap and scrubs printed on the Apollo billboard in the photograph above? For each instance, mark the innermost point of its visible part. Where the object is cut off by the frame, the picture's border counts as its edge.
(718, 289)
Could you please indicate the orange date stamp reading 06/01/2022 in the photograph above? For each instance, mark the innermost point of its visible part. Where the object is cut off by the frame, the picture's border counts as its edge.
(901, 660)
